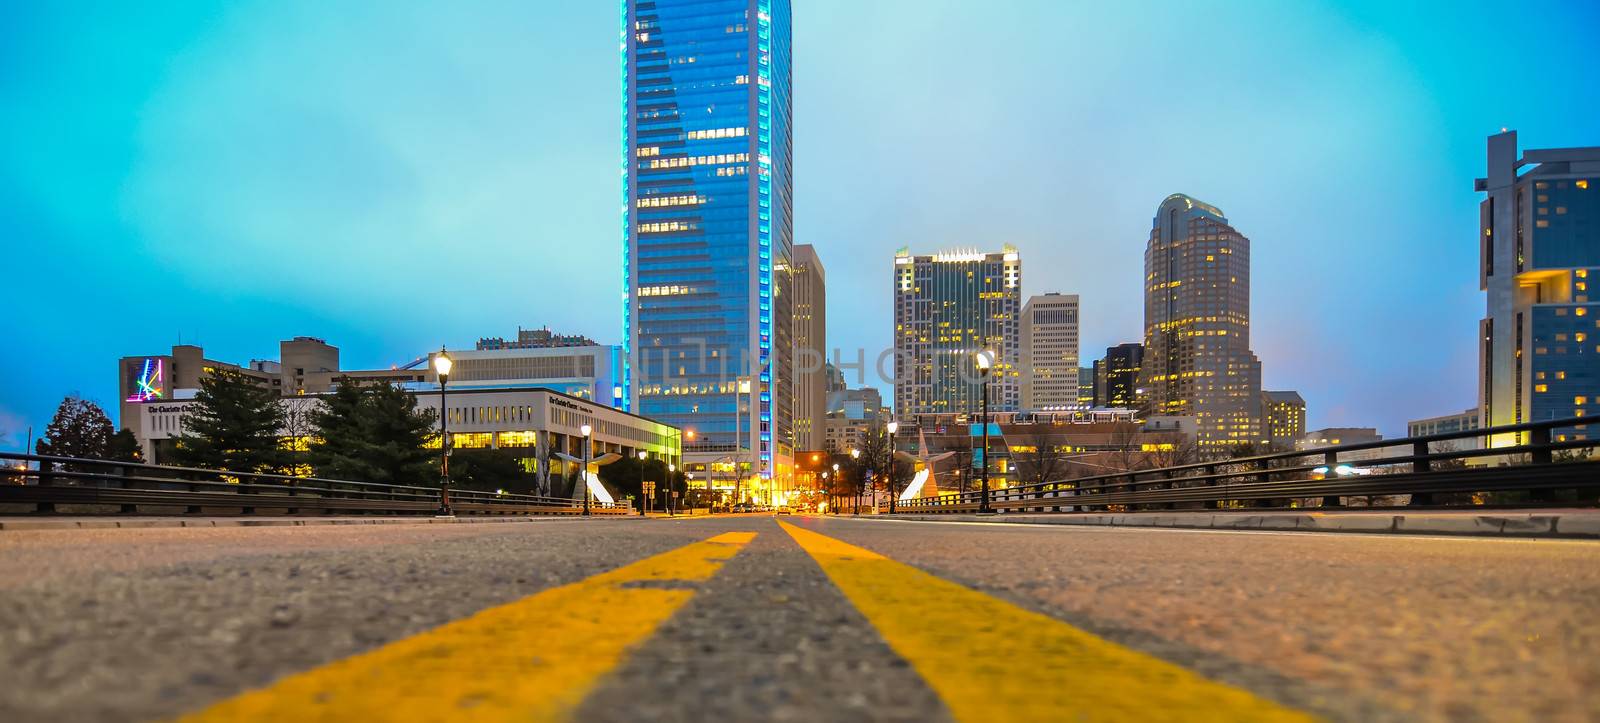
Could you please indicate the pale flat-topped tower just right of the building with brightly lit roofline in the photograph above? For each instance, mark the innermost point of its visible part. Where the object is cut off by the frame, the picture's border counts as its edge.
(1050, 351)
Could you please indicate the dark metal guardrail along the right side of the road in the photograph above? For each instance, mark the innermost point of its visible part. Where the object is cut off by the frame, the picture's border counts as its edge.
(1423, 473)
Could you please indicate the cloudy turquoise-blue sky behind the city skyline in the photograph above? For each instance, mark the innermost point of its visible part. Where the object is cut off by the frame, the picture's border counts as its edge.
(394, 177)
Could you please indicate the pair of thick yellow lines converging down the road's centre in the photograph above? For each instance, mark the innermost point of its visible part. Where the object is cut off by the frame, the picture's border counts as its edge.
(538, 658)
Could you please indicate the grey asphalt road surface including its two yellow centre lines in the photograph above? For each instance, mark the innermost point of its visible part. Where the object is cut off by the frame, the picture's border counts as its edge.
(825, 620)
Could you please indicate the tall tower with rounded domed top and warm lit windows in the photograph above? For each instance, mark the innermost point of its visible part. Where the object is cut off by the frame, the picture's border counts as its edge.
(1198, 359)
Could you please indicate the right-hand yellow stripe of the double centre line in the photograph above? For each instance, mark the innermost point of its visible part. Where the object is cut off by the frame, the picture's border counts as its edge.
(994, 661)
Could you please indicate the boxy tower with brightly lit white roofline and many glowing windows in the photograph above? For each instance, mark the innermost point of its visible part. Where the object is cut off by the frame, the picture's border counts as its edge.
(948, 308)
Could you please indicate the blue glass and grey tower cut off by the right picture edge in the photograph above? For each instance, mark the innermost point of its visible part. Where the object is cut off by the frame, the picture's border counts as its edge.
(1538, 250)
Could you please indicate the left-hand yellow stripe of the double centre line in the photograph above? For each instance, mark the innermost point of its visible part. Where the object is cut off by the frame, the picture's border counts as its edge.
(532, 660)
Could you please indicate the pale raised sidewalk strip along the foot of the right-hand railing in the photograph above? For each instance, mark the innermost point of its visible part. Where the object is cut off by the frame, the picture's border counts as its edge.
(1582, 524)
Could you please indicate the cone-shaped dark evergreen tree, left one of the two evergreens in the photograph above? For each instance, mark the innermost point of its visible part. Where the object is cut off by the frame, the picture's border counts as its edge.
(234, 426)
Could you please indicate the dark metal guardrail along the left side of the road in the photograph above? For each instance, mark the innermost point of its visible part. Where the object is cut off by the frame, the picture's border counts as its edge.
(50, 484)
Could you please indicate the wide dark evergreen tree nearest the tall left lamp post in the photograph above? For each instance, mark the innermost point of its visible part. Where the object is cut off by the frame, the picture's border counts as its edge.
(374, 433)
